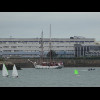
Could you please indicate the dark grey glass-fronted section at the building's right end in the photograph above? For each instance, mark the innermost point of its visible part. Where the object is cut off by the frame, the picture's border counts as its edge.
(87, 50)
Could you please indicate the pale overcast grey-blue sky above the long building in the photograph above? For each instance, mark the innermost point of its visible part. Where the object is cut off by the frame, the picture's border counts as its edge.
(63, 24)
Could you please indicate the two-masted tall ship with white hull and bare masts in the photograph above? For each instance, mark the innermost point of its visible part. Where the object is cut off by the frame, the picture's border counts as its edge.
(47, 65)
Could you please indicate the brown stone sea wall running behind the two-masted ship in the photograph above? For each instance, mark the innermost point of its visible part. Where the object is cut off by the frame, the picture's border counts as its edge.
(24, 63)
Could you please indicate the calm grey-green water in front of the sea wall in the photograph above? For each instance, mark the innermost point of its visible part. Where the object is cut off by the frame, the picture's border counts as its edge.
(64, 77)
